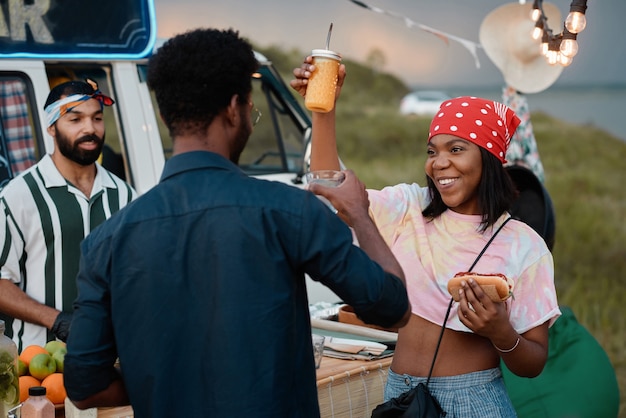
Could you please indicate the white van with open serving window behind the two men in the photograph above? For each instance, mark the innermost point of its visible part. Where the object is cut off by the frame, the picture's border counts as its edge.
(137, 143)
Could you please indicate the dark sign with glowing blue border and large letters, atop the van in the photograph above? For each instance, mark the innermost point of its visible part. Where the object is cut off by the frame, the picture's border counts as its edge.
(77, 29)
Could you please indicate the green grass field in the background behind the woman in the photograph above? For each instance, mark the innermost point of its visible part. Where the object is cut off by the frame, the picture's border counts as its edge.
(585, 175)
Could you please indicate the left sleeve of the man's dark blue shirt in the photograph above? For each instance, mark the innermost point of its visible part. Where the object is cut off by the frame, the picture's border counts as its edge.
(91, 352)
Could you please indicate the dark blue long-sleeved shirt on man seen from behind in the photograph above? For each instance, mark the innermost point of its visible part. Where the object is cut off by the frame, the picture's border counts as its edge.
(198, 287)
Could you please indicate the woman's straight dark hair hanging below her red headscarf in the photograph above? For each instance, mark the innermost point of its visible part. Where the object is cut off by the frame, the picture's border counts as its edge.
(496, 192)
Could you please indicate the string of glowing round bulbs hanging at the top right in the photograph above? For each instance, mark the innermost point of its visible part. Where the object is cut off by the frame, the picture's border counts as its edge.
(560, 48)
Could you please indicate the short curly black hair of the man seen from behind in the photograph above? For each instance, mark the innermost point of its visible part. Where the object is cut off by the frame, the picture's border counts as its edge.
(194, 76)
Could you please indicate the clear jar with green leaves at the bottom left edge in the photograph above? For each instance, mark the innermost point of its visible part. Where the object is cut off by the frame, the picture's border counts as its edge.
(9, 378)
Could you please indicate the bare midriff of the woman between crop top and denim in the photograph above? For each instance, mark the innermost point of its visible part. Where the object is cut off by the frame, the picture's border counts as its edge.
(459, 353)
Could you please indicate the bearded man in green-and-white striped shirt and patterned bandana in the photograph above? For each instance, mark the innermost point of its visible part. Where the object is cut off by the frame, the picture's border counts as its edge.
(48, 210)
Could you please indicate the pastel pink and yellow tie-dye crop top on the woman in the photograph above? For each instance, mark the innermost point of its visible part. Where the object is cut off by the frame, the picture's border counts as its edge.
(431, 251)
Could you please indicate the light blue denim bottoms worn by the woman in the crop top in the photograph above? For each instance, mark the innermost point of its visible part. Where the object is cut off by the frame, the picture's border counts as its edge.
(478, 394)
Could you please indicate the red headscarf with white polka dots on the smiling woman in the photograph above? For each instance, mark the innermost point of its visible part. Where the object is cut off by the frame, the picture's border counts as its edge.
(486, 123)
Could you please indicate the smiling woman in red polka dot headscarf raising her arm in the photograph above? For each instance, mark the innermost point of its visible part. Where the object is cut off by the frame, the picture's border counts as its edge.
(439, 230)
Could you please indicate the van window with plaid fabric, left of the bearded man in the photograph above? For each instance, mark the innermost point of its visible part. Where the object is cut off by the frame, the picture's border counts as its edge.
(19, 147)
